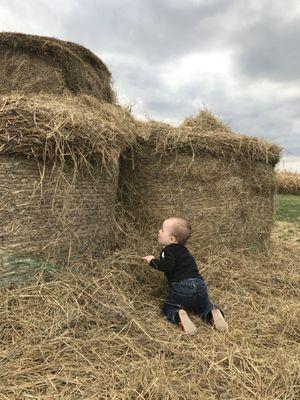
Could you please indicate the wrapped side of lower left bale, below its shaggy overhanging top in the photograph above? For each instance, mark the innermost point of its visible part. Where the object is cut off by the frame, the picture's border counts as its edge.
(45, 210)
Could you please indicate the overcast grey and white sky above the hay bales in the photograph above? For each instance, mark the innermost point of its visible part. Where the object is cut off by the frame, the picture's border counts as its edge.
(169, 58)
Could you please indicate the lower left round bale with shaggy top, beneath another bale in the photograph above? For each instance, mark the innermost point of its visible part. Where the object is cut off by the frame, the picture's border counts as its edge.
(59, 166)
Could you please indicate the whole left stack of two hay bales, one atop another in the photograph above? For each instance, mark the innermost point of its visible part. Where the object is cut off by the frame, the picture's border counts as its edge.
(61, 134)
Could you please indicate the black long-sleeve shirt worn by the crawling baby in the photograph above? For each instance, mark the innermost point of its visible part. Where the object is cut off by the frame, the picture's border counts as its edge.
(176, 262)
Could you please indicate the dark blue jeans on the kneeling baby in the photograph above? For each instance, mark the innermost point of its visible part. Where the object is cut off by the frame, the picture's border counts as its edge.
(191, 295)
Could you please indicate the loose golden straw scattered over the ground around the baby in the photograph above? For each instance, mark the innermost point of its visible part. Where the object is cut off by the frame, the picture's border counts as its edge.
(97, 333)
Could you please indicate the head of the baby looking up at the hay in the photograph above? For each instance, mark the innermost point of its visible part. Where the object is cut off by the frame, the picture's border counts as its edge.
(174, 230)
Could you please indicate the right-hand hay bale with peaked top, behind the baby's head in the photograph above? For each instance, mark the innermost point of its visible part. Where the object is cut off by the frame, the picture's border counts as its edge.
(223, 183)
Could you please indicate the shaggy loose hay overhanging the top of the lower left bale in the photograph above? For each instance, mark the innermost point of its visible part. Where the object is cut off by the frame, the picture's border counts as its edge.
(58, 128)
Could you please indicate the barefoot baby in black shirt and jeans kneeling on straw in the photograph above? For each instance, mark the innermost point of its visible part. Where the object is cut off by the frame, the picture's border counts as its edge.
(187, 289)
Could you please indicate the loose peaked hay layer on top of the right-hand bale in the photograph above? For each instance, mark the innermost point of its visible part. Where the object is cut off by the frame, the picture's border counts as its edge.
(207, 134)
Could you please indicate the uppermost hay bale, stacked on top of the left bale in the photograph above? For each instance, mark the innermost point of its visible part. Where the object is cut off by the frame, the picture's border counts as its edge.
(35, 64)
